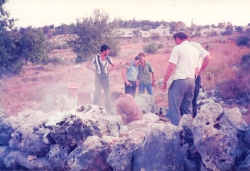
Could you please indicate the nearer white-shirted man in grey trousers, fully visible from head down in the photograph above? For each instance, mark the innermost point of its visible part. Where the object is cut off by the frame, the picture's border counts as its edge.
(182, 65)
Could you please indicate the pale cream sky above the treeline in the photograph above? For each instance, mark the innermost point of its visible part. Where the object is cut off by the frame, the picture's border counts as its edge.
(38, 13)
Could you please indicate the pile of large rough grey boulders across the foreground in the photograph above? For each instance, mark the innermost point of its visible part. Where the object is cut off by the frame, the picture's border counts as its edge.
(87, 138)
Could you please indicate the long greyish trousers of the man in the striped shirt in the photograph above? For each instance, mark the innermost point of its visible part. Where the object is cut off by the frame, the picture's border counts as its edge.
(102, 81)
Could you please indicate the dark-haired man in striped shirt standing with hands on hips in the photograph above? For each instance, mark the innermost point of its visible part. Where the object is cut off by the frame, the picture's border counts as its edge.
(101, 68)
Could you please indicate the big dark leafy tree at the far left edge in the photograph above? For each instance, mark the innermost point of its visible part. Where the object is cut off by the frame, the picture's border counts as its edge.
(18, 48)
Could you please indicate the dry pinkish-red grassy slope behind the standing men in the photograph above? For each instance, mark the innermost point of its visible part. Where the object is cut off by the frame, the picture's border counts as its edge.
(31, 88)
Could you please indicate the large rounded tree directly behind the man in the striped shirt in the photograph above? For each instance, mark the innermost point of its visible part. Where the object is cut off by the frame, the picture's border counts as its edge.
(94, 31)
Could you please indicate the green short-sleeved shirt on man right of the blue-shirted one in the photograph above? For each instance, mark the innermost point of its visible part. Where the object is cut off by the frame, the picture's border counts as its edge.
(144, 73)
